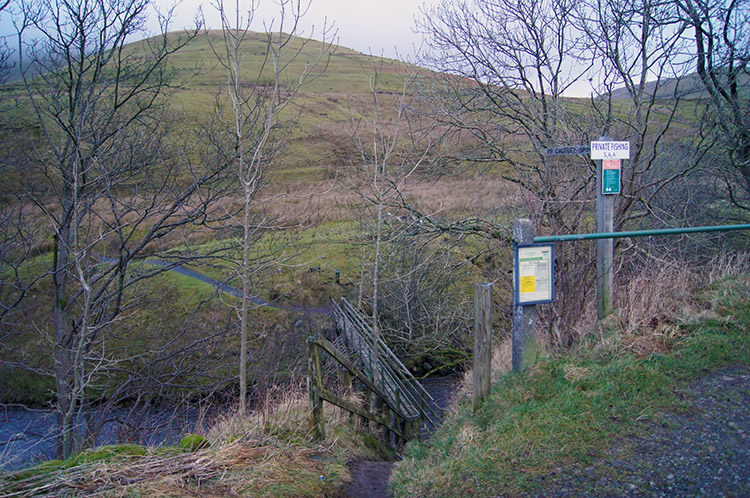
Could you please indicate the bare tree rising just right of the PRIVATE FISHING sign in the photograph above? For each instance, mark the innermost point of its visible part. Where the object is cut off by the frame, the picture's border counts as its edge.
(642, 51)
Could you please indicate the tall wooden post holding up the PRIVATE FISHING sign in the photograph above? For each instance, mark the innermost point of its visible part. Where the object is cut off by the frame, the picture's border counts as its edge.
(604, 247)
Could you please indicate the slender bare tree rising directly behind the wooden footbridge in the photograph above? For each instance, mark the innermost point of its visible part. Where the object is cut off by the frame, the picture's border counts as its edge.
(395, 143)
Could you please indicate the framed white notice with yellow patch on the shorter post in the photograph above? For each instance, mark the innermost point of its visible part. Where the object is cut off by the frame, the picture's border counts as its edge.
(534, 276)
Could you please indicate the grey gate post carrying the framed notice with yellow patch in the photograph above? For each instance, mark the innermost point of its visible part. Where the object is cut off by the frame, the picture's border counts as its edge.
(524, 317)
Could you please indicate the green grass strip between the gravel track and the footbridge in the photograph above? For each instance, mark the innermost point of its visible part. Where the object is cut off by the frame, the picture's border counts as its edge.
(570, 408)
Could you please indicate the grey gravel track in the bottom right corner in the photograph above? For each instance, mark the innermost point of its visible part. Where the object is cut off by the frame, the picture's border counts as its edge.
(701, 451)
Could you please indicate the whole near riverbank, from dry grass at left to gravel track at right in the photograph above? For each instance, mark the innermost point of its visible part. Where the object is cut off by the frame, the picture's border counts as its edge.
(587, 423)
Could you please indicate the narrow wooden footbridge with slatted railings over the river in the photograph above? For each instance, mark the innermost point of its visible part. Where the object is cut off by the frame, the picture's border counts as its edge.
(393, 398)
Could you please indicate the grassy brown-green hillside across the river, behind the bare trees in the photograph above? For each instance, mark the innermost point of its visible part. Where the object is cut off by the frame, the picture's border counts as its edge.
(317, 251)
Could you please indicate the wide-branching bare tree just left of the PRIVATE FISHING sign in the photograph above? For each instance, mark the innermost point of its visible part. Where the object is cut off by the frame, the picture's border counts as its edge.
(508, 67)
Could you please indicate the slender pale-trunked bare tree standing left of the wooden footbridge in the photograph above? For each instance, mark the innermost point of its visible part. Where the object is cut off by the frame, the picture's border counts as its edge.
(258, 130)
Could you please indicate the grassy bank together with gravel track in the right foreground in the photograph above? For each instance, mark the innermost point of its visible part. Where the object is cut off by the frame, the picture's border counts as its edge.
(652, 410)
